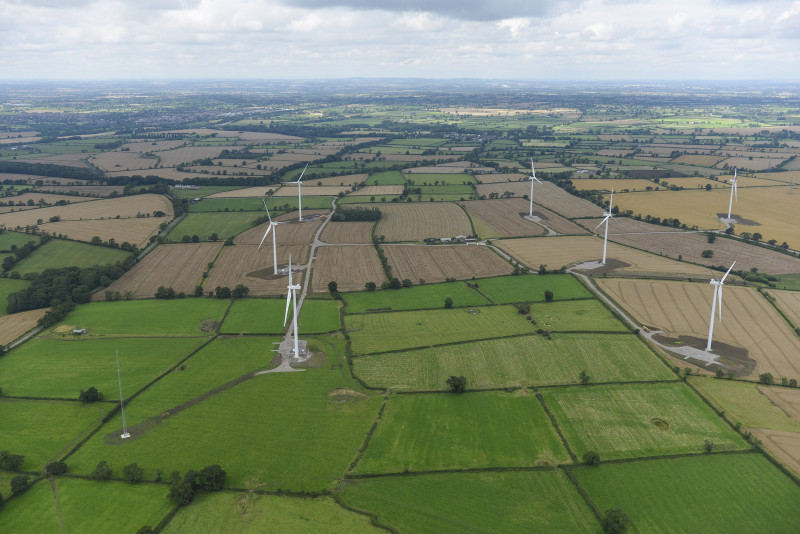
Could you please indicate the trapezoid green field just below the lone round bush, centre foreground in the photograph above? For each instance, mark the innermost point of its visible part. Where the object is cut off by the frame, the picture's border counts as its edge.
(461, 432)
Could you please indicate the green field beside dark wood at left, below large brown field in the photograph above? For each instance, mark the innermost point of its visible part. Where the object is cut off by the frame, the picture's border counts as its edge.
(179, 317)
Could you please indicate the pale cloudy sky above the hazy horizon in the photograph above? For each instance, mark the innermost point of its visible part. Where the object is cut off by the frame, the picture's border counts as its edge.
(501, 39)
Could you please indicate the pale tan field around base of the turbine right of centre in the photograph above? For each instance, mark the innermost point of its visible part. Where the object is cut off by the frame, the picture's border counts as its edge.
(568, 250)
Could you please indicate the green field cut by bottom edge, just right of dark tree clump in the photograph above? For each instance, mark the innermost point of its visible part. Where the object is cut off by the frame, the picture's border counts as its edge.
(252, 513)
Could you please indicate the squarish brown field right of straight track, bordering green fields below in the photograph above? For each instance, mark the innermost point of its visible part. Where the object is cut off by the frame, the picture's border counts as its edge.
(351, 266)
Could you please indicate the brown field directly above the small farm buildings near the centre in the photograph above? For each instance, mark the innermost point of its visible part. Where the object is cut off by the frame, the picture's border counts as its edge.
(416, 222)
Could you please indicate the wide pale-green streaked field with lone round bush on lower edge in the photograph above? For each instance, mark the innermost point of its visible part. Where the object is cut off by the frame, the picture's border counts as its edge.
(519, 361)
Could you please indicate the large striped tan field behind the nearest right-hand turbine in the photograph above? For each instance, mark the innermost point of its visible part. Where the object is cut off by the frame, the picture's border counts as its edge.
(683, 308)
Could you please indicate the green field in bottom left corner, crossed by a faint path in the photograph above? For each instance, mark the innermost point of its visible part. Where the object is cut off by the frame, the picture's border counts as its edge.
(131, 506)
